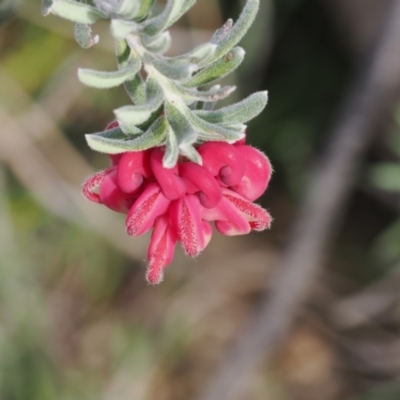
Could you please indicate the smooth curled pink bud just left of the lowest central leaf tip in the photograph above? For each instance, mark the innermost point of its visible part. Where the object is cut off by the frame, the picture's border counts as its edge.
(171, 184)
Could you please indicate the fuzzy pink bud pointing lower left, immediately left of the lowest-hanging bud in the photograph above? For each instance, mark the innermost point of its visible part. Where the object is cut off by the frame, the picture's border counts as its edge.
(149, 205)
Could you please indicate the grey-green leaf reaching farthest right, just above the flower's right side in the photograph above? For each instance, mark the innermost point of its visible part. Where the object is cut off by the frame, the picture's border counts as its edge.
(238, 113)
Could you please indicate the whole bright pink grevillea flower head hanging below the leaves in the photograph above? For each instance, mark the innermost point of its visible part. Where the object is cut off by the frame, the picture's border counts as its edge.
(179, 203)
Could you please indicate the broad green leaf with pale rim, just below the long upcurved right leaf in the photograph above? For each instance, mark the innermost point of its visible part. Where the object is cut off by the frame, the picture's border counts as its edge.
(224, 66)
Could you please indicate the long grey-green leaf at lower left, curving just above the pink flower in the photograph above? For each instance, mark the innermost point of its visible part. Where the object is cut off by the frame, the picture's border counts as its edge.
(116, 145)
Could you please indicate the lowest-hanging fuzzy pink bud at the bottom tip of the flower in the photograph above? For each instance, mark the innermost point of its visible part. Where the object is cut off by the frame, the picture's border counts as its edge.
(161, 249)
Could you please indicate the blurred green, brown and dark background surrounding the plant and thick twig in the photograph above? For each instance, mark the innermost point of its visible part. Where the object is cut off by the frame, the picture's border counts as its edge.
(77, 319)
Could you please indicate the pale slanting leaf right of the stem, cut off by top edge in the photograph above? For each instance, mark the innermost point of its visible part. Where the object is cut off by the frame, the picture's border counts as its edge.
(172, 12)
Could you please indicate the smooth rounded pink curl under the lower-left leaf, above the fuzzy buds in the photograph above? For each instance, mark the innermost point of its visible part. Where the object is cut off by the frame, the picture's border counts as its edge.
(133, 168)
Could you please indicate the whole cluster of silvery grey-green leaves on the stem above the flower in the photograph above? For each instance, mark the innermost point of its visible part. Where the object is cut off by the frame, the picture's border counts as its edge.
(173, 97)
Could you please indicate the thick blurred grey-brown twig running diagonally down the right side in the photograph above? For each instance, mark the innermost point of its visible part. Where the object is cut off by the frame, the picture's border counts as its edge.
(371, 96)
